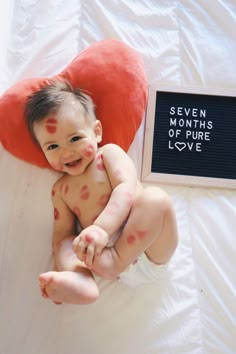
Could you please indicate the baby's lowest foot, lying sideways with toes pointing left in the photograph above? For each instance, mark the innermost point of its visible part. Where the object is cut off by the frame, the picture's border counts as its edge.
(69, 287)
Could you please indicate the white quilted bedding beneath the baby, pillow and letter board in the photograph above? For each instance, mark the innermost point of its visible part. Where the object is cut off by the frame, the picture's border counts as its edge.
(193, 310)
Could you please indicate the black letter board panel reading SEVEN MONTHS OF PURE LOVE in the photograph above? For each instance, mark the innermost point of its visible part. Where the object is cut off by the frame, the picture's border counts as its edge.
(194, 135)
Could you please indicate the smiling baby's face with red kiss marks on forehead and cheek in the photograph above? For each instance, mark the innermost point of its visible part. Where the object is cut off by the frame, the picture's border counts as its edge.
(69, 141)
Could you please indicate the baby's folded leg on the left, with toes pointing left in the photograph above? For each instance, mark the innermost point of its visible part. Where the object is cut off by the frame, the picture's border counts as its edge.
(73, 283)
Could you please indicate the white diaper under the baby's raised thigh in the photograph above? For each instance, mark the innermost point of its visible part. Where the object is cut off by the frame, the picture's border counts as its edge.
(143, 271)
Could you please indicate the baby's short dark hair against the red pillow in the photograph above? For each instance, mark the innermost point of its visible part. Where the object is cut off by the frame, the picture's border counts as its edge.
(51, 99)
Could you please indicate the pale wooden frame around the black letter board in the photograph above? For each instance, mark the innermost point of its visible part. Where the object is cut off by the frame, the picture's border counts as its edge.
(193, 181)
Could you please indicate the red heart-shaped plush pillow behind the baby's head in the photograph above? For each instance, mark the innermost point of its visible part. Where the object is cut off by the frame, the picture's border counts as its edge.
(113, 75)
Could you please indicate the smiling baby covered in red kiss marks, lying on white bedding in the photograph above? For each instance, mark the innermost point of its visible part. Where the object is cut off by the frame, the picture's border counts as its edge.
(99, 189)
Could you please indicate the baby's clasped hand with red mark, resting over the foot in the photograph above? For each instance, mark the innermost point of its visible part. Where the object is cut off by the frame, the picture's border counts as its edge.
(90, 242)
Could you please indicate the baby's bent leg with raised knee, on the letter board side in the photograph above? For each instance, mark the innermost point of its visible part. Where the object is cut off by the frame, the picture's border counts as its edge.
(151, 227)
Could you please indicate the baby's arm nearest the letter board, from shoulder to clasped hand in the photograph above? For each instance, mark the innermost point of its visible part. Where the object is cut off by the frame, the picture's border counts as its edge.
(123, 179)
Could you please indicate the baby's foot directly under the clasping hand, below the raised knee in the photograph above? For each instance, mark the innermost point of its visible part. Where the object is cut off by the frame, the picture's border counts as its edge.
(107, 264)
